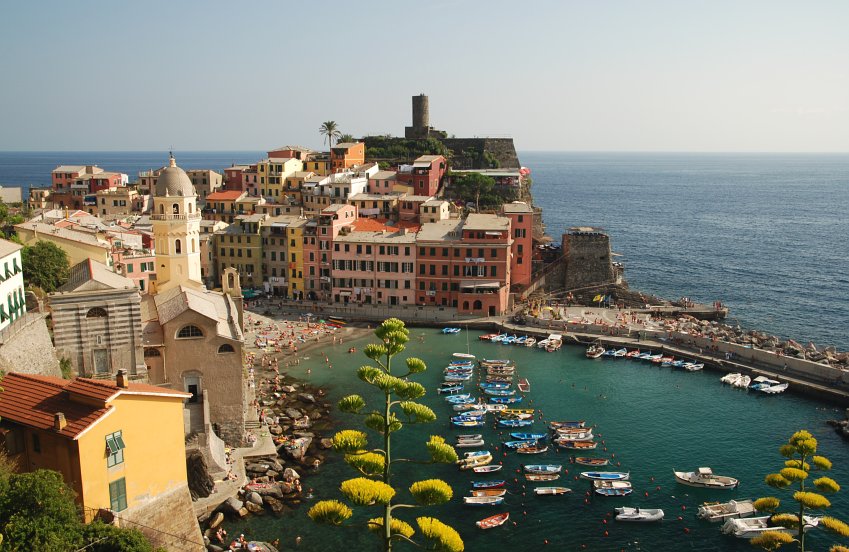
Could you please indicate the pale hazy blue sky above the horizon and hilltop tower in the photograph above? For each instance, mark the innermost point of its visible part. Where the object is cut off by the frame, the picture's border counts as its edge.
(560, 75)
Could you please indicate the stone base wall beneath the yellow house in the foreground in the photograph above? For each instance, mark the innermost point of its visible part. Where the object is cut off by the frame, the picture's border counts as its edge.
(168, 521)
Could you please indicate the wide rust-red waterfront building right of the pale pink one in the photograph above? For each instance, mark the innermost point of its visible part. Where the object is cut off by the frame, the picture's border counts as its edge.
(465, 264)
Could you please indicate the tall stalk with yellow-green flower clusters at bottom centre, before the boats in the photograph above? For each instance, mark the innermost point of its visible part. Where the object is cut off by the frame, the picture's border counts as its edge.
(374, 487)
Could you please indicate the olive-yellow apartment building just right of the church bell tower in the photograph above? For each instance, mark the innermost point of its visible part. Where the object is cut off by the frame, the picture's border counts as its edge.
(240, 246)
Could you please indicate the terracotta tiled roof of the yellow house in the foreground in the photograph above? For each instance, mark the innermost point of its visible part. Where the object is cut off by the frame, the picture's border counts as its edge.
(33, 400)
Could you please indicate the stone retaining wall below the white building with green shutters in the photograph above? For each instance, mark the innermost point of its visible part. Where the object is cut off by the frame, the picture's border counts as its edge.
(26, 347)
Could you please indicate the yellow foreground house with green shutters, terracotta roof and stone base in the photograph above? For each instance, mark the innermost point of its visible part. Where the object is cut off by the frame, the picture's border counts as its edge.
(98, 435)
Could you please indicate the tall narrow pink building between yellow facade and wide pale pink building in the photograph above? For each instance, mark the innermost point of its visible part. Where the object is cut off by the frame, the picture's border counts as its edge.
(319, 235)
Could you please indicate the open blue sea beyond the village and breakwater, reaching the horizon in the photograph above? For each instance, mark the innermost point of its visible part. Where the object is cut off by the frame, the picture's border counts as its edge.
(767, 234)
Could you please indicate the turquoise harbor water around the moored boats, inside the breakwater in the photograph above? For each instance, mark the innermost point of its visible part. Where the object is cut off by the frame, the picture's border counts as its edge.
(652, 419)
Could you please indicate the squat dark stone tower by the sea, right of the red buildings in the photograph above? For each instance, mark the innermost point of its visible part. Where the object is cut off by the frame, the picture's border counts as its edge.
(588, 260)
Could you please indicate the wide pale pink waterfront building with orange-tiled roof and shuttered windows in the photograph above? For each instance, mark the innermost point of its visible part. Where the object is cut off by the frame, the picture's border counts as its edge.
(375, 264)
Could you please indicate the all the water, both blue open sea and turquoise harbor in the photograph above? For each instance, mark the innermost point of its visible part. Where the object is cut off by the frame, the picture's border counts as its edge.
(766, 234)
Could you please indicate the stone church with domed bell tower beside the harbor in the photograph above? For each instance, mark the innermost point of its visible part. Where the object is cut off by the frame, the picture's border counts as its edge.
(191, 338)
